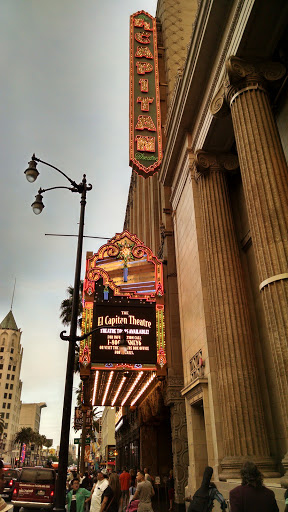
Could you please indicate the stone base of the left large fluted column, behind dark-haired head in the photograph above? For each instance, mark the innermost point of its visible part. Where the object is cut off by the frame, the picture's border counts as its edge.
(231, 467)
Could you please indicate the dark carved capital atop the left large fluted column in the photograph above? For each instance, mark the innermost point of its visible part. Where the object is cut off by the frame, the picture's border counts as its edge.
(216, 162)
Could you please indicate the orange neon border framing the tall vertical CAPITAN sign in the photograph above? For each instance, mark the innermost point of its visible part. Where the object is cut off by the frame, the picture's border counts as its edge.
(134, 163)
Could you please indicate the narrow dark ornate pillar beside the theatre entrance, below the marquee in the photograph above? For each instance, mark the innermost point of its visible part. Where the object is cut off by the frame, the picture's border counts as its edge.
(179, 438)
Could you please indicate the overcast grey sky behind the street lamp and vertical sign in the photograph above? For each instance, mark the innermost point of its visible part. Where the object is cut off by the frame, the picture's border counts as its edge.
(65, 97)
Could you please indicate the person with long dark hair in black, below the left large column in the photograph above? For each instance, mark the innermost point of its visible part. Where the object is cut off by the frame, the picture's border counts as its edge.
(203, 499)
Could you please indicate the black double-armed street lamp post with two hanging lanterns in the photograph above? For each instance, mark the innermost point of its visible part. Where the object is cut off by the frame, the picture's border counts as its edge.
(82, 188)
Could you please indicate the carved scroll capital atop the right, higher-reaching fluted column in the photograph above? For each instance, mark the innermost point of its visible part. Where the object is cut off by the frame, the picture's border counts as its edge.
(242, 76)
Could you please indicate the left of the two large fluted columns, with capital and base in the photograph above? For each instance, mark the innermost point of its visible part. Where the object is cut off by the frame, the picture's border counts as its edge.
(244, 431)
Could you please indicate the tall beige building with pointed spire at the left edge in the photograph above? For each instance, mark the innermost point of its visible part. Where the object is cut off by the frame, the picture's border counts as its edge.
(10, 385)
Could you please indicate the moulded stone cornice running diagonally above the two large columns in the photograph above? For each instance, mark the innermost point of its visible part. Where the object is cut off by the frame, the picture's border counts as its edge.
(195, 89)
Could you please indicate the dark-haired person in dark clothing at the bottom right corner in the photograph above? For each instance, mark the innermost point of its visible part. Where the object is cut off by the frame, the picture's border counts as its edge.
(252, 495)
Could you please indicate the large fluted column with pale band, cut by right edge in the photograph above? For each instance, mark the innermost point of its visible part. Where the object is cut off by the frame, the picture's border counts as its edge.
(265, 182)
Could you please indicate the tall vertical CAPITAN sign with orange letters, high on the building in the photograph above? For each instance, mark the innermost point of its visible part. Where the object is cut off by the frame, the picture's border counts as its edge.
(145, 129)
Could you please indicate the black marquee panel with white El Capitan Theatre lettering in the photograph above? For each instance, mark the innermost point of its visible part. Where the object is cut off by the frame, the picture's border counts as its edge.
(139, 325)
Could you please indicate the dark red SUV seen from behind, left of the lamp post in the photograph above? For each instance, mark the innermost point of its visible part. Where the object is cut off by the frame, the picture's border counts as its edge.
(35, 488)
